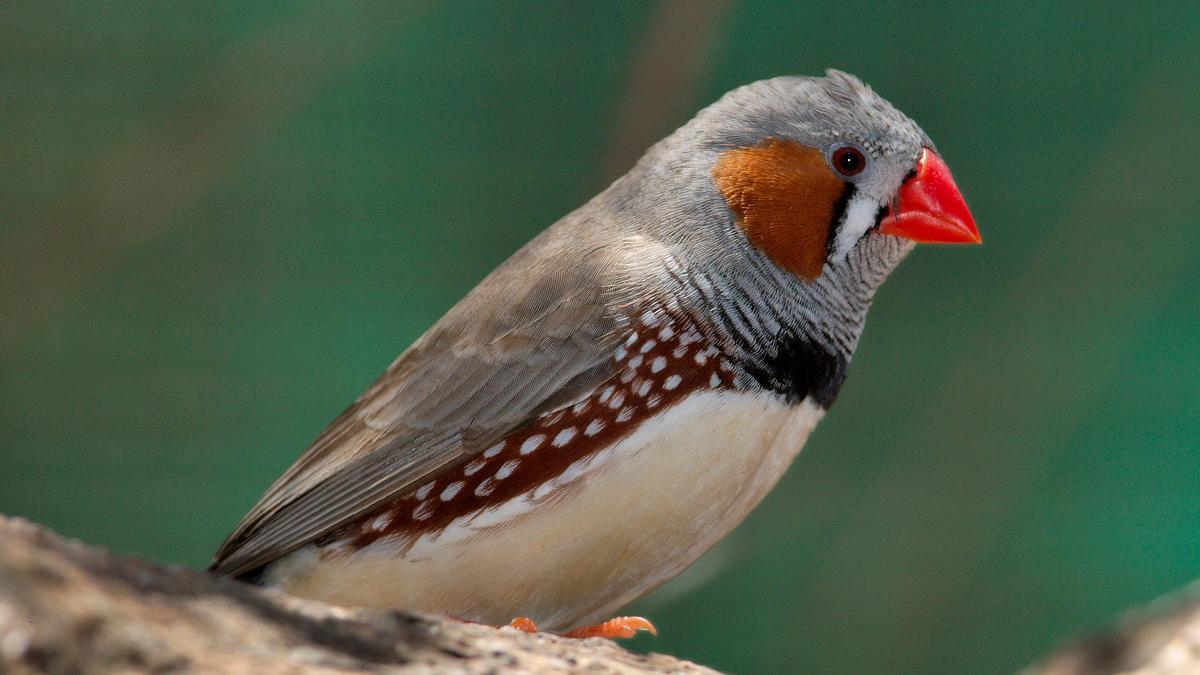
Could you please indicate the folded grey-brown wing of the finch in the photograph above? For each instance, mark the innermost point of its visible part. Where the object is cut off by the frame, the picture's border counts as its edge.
(507, 353)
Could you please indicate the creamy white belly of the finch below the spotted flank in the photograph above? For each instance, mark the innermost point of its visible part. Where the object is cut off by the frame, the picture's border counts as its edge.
(649, 507)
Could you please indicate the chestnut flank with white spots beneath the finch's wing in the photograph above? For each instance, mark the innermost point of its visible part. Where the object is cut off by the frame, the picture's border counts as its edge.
(664, 371)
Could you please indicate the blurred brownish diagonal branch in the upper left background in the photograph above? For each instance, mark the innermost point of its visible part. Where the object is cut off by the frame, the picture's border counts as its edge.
(171, 162)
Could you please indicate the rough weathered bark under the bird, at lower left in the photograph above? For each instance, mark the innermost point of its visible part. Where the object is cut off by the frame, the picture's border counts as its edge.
(69, 608)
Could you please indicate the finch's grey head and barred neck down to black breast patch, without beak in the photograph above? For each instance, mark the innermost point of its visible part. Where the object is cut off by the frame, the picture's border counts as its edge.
(734, 237)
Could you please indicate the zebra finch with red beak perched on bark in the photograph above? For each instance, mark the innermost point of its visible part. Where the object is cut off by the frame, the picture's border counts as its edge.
(617, 396)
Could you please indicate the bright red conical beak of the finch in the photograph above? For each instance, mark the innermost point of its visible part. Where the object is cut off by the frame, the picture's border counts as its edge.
(929, 208)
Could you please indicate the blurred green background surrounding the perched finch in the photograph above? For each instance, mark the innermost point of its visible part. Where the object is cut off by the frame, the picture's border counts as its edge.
(219, 222)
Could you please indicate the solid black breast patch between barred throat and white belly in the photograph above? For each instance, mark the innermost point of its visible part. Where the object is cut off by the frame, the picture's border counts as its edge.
(800, 369)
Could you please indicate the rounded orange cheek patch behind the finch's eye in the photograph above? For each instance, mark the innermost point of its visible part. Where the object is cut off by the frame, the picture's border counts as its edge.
(784, 196)
